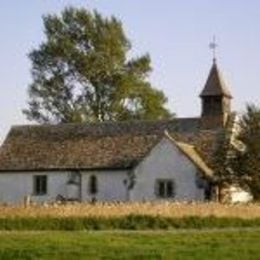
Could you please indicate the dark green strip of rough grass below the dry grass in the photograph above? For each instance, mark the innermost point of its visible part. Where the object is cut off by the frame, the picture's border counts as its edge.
(130, 222)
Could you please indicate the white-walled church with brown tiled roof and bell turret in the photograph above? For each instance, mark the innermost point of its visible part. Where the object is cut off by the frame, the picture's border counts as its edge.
(118, 161)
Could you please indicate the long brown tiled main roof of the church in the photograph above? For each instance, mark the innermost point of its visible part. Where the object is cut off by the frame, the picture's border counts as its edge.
(96, 146)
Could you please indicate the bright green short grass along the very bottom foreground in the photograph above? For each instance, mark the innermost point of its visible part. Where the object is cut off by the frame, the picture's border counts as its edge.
(131, 245)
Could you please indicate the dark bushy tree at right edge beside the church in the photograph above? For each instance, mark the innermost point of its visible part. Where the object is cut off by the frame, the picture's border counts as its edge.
(247, 163)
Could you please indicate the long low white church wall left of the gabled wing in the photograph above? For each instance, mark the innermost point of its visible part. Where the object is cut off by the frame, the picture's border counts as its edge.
(14, 187)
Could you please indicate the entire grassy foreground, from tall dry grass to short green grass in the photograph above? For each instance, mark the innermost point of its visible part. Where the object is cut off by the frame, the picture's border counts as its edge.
(212, 231)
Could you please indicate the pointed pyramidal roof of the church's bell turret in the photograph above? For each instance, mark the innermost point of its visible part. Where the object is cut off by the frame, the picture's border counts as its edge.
(215, 85)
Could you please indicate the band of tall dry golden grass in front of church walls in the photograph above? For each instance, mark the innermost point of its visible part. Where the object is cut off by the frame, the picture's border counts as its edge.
(166, 209)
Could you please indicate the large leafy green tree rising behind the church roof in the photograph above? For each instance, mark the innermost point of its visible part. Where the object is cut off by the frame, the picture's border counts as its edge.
(81, 72)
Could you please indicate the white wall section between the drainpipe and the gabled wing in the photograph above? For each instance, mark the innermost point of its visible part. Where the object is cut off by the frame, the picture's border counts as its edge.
(111, 186)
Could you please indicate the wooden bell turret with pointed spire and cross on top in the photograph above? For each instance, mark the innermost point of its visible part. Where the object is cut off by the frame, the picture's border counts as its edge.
(215, 98)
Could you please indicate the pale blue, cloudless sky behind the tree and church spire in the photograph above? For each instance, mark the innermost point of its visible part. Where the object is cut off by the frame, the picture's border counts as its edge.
(176, 34)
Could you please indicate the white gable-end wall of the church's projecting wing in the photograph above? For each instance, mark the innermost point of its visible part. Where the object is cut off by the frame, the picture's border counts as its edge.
(166, 161)
